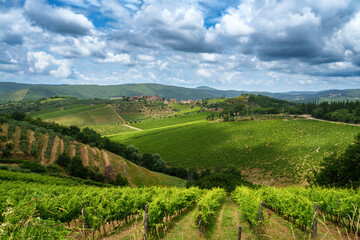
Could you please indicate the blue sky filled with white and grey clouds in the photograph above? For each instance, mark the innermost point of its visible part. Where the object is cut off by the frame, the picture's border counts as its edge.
(253, 45)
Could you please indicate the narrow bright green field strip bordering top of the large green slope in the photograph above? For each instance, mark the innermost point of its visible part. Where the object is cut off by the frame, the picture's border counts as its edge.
(171, 120)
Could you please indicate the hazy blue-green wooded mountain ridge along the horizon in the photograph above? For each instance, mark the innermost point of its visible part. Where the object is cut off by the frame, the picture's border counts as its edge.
(20, 91)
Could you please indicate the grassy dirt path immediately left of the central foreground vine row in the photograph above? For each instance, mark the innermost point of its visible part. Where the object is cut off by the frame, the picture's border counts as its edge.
(184, 228)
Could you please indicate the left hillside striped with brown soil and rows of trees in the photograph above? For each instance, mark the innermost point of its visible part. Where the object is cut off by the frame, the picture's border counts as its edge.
(45, 146)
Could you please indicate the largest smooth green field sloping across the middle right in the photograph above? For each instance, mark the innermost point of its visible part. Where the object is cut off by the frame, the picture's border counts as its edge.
(277, 147)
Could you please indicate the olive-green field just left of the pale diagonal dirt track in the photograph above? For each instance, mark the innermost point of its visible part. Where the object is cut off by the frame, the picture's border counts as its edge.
(98, 116)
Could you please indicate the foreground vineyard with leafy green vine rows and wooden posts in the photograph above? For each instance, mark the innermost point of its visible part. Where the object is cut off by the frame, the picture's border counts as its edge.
(66, 209)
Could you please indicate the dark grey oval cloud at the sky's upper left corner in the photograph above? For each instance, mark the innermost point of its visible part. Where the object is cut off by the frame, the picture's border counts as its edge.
(59, 20)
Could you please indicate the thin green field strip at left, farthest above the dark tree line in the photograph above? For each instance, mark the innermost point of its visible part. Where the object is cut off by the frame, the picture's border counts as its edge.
(70, 109)
